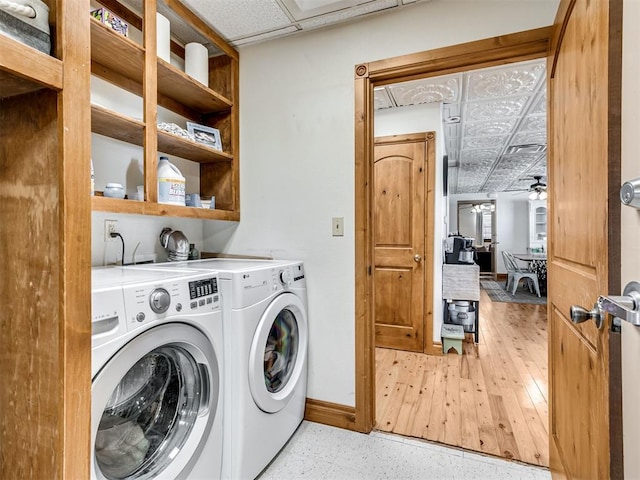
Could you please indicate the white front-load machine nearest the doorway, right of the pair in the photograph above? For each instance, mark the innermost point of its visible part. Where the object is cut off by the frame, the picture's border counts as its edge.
(266, 338)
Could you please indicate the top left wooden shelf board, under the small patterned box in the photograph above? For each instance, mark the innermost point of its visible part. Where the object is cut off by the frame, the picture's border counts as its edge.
(116, 52)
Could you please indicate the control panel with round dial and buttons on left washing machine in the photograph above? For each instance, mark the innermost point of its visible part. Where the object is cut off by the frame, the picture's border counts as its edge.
(171, 299)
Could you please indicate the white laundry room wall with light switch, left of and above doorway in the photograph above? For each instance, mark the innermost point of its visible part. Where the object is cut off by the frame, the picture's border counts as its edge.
(297, 154)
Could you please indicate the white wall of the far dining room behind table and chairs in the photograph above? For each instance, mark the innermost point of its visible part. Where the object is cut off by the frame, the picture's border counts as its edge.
(512, 221)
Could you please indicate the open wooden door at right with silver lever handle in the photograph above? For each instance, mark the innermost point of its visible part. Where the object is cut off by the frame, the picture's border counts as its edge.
(584, 161)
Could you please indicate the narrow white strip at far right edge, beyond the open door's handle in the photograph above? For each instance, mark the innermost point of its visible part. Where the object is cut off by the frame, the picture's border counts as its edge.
(630, 234)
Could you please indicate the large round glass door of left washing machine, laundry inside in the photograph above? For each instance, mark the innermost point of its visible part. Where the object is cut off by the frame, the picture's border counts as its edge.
(148, 399)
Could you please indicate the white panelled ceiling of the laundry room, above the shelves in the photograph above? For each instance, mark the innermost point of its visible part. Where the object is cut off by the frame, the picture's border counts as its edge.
(242, 22)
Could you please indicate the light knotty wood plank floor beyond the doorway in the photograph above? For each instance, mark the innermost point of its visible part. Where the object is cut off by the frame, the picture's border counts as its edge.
(492, 399)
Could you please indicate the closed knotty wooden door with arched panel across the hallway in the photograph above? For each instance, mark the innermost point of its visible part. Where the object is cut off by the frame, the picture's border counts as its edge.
(399, 229)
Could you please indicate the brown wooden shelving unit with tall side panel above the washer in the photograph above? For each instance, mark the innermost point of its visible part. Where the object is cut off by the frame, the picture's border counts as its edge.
(46, 122)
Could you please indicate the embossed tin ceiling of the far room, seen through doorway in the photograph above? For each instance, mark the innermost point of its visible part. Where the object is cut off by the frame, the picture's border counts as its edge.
(494, 123)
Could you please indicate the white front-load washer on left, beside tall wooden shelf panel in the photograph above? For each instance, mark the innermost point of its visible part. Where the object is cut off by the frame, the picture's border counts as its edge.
(157, 376)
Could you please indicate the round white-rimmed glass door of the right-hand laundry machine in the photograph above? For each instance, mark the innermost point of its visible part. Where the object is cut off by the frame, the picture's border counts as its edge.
(278, 353)
